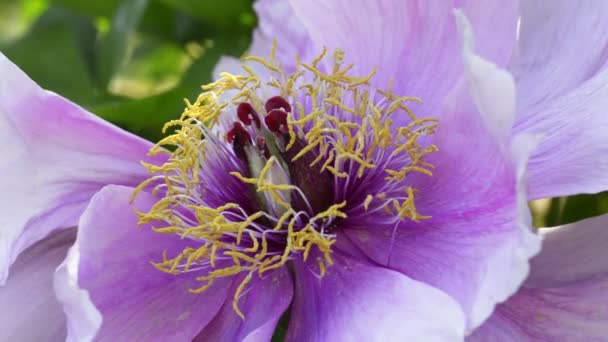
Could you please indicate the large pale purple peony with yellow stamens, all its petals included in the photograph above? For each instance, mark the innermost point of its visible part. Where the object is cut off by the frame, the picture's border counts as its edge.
(322, 188)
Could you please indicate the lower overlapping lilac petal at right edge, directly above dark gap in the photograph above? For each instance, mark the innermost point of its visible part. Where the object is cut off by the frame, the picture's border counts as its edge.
(574, 128)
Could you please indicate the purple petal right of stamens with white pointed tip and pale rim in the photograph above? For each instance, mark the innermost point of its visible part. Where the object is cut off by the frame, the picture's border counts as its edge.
(477, 243)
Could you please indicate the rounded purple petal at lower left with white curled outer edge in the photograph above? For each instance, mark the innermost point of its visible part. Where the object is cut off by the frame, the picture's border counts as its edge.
(137, 301)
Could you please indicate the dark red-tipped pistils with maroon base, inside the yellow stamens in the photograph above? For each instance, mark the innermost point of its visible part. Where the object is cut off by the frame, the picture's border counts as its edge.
(259, 144)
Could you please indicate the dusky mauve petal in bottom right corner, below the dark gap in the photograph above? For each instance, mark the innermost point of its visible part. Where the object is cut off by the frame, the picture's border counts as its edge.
(566, 296)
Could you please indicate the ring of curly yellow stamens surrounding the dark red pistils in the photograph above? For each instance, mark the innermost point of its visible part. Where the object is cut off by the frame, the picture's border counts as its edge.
(346, 124)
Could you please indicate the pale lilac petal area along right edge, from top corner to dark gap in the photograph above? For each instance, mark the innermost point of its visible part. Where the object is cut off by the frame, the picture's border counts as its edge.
(562, 86)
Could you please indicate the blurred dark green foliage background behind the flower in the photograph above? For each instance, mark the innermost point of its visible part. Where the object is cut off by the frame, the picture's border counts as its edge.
(133, 62)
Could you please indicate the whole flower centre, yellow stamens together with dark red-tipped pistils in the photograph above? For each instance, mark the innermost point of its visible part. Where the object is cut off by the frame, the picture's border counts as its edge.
(254, 181)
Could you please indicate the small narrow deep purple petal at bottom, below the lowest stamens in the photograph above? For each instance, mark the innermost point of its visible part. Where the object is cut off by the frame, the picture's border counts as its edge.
(263, 305)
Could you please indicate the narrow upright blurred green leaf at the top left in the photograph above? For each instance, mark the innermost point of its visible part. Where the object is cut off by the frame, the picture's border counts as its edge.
(114, 45)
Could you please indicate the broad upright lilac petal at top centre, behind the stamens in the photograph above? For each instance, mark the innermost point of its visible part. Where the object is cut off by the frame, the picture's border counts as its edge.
(415, 43)
